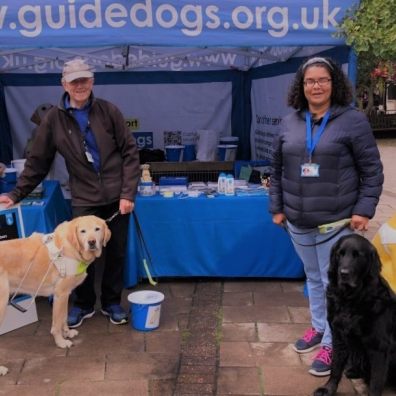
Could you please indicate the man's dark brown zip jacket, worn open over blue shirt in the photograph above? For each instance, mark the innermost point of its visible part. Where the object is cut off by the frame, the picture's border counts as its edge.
(119, 159)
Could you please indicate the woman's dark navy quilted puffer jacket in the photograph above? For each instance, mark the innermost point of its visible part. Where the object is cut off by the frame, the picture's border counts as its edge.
(350, 170)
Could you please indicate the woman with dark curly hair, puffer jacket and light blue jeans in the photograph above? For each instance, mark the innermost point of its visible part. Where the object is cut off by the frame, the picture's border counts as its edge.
(326, 182)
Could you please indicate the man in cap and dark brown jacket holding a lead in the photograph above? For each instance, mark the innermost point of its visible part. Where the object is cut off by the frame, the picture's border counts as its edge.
(103, 164)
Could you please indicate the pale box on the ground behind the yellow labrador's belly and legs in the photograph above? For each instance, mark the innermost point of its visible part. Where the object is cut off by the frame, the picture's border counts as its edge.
(15, 319)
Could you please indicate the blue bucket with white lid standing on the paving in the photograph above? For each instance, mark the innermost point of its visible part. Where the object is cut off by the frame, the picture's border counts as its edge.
(145, 307)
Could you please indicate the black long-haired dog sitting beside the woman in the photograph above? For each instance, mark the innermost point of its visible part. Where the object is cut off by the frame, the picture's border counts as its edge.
(362, 316)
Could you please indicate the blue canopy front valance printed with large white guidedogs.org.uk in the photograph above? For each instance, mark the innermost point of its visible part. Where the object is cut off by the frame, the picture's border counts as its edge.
(67, 23)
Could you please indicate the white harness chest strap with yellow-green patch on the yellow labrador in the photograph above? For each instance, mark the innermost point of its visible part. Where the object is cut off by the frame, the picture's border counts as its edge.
(65, 265)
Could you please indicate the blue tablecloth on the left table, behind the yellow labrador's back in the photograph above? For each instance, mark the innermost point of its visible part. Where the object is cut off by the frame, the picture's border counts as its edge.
(44, 218)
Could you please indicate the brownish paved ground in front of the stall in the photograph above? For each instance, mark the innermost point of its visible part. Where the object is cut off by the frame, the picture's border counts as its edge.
(217, 337)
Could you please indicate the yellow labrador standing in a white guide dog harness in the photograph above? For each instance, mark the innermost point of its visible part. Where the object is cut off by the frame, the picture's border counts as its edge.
(52, 265)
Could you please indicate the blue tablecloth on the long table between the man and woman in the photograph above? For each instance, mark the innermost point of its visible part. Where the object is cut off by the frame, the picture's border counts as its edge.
(210, 237)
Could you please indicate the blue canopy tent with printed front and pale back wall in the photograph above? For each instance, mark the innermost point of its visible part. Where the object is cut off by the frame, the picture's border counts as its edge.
(171, 66)
